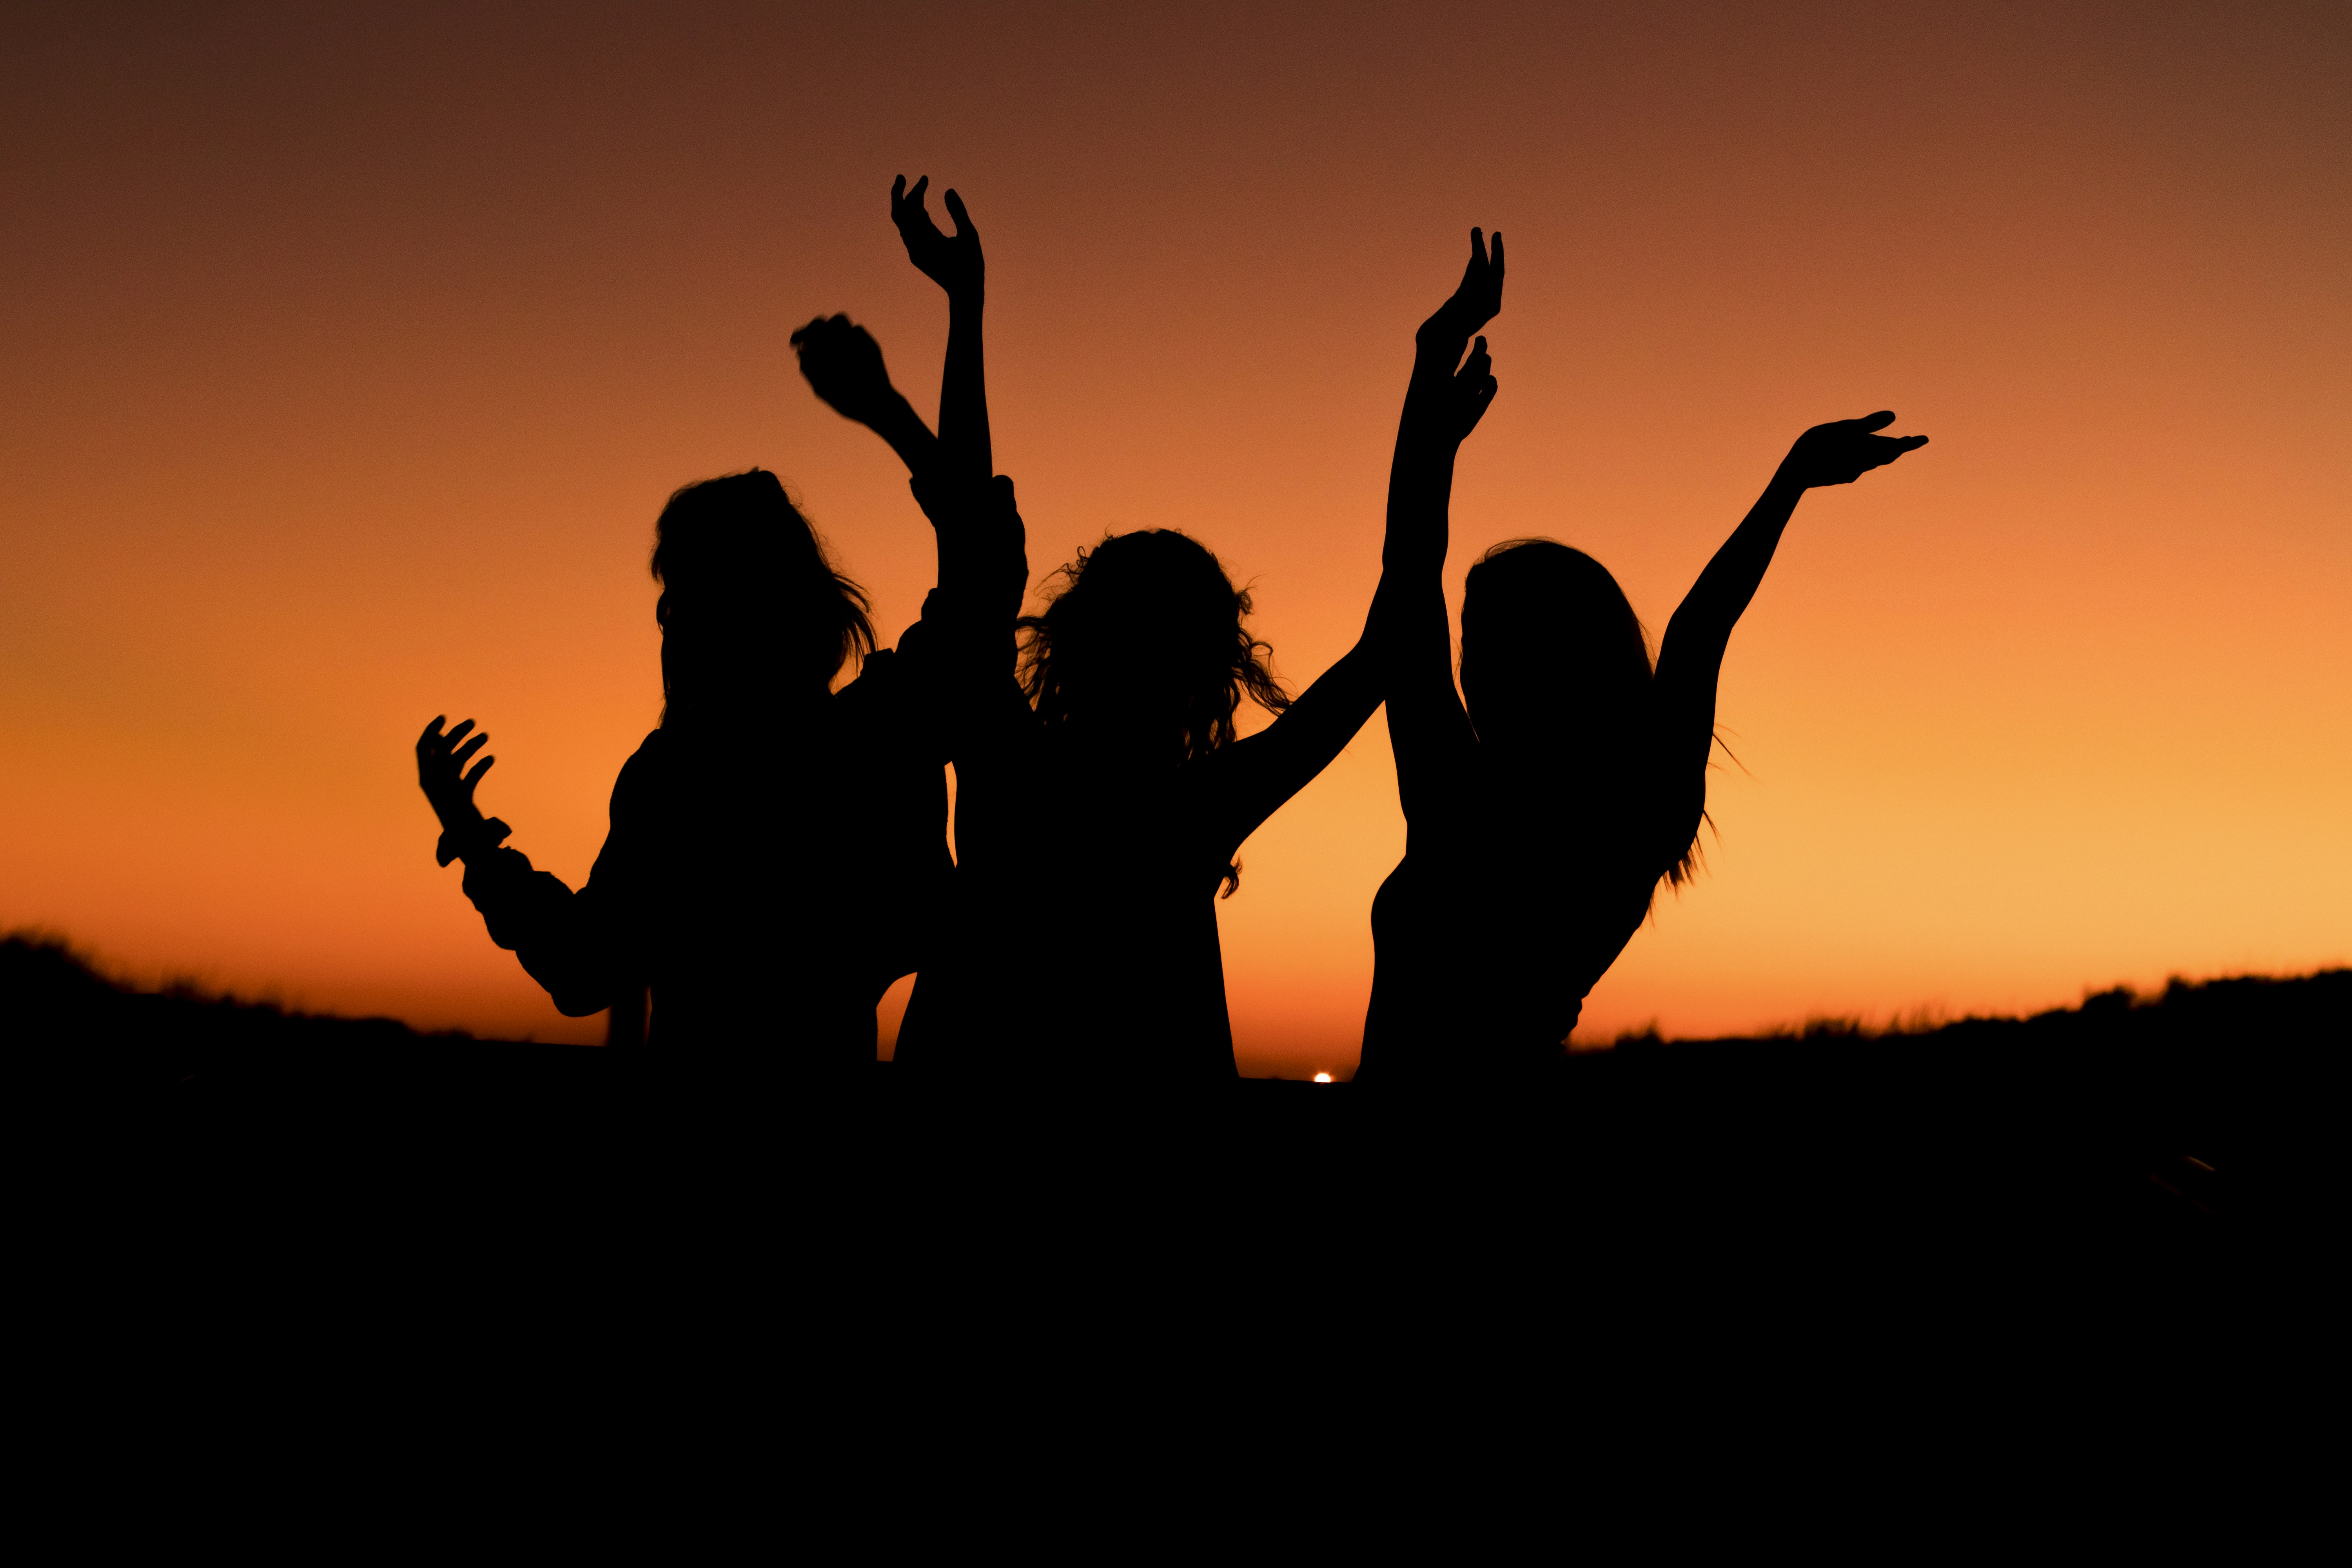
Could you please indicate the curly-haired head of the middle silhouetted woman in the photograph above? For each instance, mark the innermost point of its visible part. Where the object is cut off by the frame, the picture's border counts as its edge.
(1147, 638)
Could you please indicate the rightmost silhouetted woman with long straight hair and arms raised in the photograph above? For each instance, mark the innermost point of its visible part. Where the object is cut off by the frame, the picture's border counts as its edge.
(1544, 815)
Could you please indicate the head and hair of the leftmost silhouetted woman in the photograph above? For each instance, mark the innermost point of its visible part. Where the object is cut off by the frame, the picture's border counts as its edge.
(749, 603)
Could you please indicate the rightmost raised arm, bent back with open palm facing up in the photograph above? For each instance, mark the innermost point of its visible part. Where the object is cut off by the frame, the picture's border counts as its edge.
(1692, 657)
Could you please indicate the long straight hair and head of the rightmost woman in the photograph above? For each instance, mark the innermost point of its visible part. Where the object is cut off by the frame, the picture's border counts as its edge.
(1551, 643)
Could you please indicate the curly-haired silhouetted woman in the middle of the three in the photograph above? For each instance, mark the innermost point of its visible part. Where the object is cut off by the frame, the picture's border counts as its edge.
(1104, 786)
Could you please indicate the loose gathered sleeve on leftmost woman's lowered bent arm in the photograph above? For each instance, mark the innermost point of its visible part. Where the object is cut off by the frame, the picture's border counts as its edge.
(584, 949)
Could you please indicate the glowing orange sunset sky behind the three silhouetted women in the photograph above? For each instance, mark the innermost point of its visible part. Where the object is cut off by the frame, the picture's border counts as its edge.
(347, 359)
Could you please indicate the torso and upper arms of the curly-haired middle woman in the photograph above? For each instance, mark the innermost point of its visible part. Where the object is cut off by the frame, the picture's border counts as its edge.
(1081, 934)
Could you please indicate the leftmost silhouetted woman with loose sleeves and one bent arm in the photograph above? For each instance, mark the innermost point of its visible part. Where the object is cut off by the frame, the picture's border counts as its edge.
(775, 847)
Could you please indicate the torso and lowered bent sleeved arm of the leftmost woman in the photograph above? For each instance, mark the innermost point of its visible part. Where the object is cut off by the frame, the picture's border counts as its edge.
(766, 880)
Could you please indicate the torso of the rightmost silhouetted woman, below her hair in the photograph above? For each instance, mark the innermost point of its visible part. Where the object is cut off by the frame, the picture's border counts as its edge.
(1509, 906)
